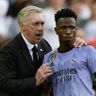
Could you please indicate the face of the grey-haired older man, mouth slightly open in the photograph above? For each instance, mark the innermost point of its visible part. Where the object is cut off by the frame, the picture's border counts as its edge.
(33, 28)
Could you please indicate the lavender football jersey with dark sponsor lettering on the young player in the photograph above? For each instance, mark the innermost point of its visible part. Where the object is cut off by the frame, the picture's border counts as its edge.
(72, 71)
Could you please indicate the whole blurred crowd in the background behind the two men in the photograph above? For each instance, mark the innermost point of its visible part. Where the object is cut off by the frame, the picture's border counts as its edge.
(85, 9)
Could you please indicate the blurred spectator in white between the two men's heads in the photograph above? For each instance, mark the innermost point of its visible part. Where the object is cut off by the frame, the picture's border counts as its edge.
(50, 35)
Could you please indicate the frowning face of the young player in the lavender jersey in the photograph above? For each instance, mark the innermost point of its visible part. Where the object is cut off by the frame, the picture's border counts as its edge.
(66, 30)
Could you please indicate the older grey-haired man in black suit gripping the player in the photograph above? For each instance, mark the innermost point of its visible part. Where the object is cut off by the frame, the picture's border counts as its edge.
(18, 72)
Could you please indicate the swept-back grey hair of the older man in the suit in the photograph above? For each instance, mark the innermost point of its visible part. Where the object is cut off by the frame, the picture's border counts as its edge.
(26, 12)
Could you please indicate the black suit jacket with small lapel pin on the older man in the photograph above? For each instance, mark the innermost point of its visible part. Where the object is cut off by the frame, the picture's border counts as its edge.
(17, 70)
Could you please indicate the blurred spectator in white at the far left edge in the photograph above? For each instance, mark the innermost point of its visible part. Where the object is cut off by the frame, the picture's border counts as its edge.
(3, 26)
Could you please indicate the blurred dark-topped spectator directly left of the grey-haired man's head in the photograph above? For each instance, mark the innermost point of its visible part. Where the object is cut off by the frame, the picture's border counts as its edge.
(14, 7)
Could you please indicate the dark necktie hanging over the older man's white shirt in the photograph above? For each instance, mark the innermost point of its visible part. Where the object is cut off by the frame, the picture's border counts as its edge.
(35, 56)
